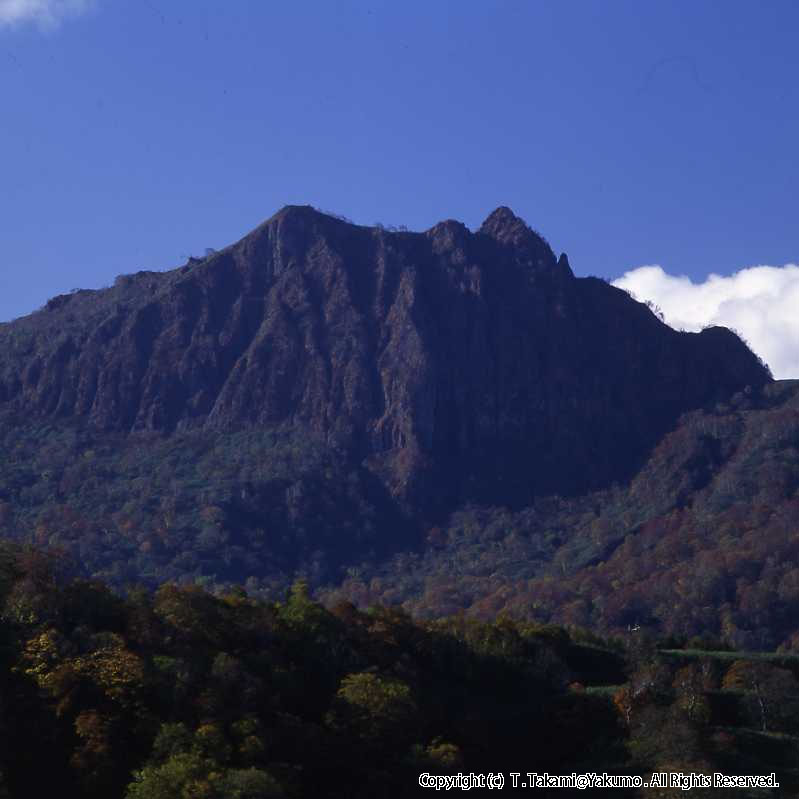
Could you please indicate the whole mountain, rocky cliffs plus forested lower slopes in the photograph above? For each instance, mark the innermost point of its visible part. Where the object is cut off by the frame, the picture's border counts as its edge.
(449, 420)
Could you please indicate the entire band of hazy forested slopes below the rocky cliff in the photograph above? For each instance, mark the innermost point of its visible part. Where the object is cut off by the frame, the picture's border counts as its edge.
(703, 541)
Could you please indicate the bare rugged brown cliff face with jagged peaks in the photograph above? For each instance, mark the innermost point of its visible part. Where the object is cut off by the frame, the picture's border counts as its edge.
(455, 365)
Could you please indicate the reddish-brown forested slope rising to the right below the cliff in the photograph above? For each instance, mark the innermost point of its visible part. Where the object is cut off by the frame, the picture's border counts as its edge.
(703, 541)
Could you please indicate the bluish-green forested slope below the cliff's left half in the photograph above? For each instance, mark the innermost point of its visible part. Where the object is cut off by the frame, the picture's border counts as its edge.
(254, 507)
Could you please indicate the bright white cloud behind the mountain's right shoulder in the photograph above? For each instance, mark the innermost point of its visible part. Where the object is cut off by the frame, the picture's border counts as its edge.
(760, 302)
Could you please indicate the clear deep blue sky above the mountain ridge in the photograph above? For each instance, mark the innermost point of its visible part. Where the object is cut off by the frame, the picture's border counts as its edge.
(628, 133)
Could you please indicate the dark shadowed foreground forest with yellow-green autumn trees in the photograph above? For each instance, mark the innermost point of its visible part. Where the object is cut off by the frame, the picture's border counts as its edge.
(182, 693)
